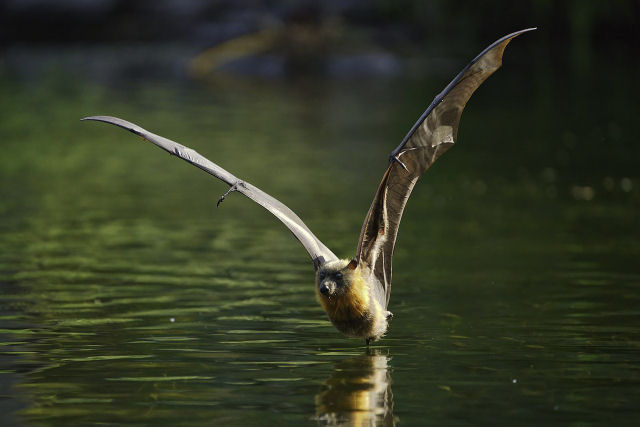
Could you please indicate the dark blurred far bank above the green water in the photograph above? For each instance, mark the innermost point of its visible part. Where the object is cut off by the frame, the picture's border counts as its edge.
(373, 37)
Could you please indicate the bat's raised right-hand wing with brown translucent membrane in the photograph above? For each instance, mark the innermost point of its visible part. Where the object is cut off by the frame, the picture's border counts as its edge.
(434, 132)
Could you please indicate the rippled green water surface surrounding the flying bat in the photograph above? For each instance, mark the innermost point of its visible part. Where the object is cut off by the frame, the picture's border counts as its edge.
(127, 297)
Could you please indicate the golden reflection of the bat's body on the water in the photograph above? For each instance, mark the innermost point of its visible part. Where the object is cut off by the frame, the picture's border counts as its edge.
(357, 393)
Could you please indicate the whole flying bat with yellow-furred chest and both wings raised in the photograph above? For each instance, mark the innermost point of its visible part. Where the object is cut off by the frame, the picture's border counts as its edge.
(355, 292)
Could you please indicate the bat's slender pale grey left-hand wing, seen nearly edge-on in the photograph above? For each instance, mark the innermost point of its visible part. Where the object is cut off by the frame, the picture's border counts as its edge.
(317, 250)
